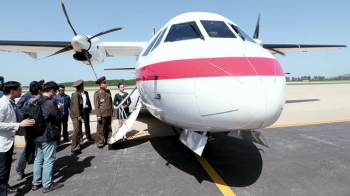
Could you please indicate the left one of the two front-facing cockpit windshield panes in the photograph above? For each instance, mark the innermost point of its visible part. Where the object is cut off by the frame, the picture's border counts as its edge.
(183, 31)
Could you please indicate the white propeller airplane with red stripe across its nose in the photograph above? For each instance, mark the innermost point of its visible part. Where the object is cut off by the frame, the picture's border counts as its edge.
(200, 72)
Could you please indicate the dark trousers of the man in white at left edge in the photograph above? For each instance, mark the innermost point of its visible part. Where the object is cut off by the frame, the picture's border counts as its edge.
(5, 167)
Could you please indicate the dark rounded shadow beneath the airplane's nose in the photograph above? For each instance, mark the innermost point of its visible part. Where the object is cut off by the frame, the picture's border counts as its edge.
(238, 162)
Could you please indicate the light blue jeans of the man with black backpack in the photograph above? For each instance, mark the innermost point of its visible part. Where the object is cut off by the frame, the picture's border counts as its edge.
(45, 158)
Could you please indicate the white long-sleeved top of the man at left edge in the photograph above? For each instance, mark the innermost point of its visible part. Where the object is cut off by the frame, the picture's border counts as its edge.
(8, 124)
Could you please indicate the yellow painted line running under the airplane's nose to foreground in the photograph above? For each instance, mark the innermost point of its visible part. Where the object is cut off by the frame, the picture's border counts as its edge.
(225, 190)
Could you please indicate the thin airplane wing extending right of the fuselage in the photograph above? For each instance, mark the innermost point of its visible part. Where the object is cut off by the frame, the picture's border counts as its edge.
(284, 48)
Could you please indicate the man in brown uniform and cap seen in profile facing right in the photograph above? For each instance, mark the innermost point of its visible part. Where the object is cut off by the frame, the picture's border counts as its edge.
(76, 114)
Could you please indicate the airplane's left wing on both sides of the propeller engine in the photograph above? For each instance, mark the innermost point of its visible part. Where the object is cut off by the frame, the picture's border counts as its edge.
(32, 48)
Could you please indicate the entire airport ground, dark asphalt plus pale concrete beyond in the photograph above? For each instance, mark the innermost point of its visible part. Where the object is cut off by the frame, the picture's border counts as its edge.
(307, 155)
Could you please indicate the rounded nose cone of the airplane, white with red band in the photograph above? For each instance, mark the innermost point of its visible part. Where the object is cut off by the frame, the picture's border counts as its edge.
(231, 89)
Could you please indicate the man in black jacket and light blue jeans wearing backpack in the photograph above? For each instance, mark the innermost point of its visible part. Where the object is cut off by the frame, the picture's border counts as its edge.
(46, 146)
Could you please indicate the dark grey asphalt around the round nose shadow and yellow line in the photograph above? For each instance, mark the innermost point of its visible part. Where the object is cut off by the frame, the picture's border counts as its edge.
(301, 160)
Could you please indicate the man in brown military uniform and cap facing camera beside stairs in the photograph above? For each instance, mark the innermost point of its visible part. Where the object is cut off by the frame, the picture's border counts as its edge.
(104, 112)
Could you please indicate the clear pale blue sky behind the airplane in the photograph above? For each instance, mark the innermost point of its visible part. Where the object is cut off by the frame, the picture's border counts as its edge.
(282, 22)
